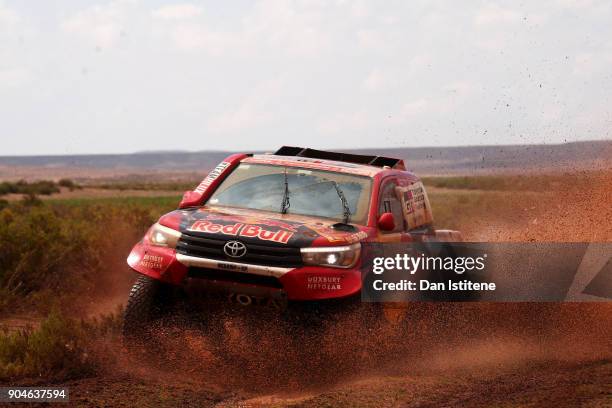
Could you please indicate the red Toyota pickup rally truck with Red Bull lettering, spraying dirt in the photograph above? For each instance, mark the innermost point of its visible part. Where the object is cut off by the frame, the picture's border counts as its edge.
(283, 228)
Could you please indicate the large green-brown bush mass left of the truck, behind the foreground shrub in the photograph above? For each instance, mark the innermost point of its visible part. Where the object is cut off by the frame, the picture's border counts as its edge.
(57, 248)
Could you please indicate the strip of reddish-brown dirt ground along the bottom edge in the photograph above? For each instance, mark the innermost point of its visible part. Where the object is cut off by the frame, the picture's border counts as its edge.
(538, 384)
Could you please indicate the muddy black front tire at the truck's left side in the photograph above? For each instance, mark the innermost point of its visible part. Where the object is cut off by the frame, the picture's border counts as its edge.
(145, 305)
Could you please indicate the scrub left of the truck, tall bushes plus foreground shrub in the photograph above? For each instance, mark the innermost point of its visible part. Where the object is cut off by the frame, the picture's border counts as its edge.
(54, 254)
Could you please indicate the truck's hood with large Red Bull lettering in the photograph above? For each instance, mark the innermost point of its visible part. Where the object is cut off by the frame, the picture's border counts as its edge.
(262, 227)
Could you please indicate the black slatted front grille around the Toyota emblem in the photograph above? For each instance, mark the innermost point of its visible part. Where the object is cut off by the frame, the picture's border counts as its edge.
(258, 253)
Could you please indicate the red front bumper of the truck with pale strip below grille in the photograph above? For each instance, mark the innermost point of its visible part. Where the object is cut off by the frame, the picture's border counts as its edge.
(301, 283)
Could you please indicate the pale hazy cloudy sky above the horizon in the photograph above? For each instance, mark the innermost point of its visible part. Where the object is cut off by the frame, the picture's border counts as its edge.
(129, 75)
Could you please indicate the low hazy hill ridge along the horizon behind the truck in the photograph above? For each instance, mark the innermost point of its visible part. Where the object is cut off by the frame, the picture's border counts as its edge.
(424, 160)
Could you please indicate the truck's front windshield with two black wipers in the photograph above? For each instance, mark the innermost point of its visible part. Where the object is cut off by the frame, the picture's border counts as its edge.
(309, 192)
